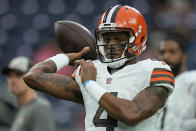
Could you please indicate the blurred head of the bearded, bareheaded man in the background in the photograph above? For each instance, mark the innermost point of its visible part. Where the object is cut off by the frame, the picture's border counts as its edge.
(173, 52)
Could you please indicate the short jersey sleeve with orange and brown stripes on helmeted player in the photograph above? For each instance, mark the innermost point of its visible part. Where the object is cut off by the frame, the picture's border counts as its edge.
(162, 76)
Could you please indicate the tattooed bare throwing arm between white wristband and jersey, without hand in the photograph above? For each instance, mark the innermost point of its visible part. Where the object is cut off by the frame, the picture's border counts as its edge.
(42, 77)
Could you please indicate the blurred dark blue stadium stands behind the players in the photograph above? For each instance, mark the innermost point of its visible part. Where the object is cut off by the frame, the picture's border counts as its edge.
(26, 28)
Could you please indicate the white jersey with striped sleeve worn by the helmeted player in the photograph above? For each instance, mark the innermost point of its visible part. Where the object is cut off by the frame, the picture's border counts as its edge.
(125, 83)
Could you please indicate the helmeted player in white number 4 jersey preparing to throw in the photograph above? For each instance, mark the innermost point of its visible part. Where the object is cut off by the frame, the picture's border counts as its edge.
(118, 92)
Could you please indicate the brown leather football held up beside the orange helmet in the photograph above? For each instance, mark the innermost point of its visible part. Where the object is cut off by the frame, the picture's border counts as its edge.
(72, 37)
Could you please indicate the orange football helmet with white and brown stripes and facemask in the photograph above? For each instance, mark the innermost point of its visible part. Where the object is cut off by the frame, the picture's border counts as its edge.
(122, 19)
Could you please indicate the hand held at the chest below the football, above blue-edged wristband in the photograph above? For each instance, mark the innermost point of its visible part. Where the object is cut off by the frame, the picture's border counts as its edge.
(87, 70)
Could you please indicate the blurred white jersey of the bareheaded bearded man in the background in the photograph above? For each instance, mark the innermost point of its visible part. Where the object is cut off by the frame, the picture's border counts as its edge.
(181, 104)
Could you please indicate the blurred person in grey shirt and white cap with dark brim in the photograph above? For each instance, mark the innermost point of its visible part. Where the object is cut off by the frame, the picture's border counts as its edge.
(35, 113)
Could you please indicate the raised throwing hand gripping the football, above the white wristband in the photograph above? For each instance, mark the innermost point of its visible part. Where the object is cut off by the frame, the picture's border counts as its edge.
(76, 56)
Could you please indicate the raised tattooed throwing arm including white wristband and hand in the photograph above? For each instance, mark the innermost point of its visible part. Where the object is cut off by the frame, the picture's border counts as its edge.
(42, 77)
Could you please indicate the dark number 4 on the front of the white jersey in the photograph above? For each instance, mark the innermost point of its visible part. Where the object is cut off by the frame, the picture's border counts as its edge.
(109, 123)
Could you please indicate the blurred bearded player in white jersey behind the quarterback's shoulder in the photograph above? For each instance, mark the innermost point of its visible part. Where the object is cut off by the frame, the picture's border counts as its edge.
(181, 110)
